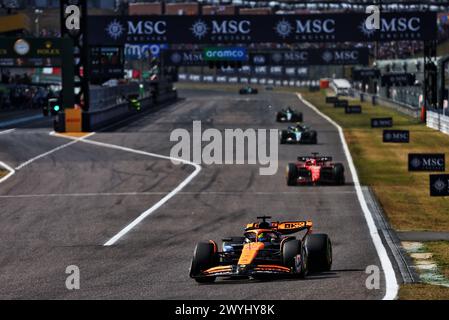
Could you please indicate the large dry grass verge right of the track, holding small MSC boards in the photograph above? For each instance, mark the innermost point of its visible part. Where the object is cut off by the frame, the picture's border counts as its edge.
(404, 196)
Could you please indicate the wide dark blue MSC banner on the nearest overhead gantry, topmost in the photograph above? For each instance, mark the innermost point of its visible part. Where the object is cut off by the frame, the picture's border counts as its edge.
(329, 27)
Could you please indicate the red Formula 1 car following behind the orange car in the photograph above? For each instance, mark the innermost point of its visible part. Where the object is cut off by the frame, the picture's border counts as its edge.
(315, 170)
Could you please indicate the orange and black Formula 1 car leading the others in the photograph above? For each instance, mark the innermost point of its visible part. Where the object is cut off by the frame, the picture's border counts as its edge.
(266, 250)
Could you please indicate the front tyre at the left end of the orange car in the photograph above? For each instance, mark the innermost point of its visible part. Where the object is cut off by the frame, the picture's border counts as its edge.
(204, 257)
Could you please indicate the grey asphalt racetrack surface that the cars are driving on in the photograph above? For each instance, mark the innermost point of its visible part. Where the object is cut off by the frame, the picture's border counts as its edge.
(115, 205)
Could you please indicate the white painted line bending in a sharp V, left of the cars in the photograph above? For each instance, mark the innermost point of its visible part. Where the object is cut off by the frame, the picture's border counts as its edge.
(161, 202)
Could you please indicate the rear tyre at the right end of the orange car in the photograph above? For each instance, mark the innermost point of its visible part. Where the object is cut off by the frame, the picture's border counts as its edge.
(319, 249)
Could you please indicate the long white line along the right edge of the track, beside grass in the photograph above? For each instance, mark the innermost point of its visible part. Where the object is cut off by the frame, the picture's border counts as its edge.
(392, 287)
